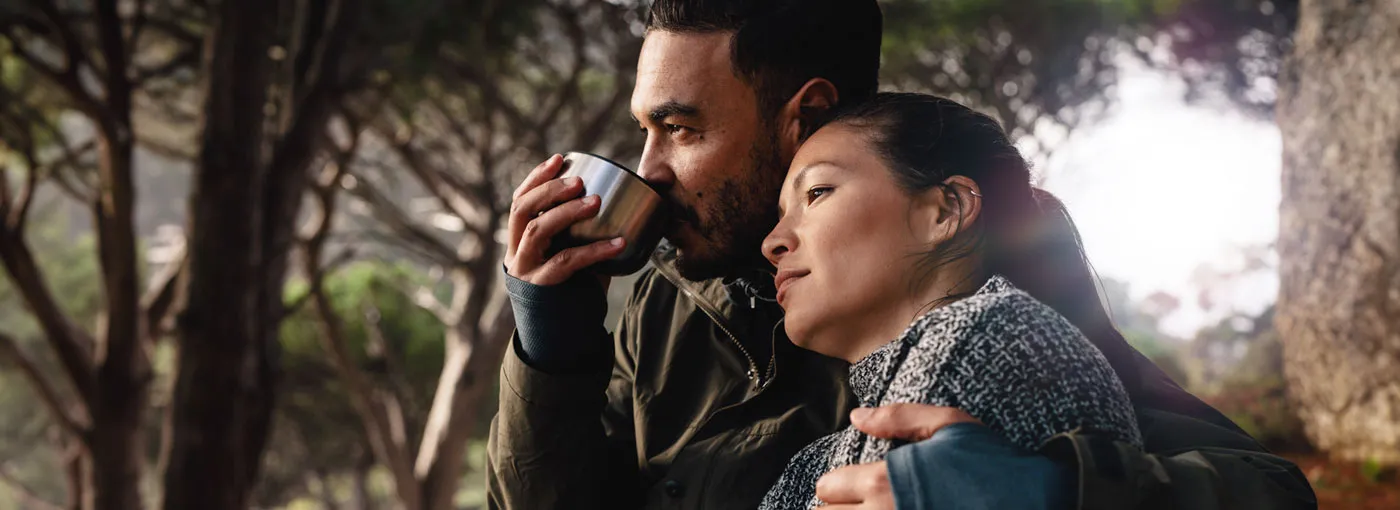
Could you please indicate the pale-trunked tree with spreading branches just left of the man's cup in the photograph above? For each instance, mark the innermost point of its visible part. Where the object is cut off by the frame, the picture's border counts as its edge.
(463, 137)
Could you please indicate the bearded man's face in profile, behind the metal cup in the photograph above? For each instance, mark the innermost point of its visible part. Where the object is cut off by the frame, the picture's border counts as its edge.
(709, 151)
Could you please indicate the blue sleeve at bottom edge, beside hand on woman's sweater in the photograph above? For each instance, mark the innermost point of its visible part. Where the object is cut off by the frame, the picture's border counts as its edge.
(969, 466)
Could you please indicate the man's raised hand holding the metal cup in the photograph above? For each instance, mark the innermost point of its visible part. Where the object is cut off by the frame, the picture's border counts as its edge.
(542, 208)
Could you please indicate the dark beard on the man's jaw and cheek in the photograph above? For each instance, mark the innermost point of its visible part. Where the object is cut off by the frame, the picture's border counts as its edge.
(740, 218)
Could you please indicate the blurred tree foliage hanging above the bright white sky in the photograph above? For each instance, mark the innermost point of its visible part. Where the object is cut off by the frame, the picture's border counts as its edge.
(1045, 68)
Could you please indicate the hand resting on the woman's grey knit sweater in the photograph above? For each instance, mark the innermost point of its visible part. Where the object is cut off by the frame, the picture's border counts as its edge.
(866, 487)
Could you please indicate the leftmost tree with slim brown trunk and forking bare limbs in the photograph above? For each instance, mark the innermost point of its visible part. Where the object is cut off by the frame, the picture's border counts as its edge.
(83, 62)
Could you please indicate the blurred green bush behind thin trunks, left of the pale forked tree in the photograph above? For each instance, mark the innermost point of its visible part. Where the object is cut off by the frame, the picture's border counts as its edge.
(316, 427)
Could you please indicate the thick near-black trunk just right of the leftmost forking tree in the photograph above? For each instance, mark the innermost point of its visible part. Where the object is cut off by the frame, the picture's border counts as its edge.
(225, 386)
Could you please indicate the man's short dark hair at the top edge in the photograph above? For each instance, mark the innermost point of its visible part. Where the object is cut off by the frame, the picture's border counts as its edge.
(779, 46)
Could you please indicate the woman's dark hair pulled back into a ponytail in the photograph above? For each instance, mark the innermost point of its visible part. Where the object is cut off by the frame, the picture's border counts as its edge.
(1025, 233)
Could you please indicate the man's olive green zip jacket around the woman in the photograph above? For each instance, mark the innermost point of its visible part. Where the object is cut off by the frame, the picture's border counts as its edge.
(677, 424)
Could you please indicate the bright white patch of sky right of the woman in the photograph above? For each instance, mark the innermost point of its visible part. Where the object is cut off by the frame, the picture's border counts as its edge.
(1161, 188)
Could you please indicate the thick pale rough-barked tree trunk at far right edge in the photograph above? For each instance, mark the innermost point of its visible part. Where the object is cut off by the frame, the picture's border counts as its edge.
(1339, 306)
